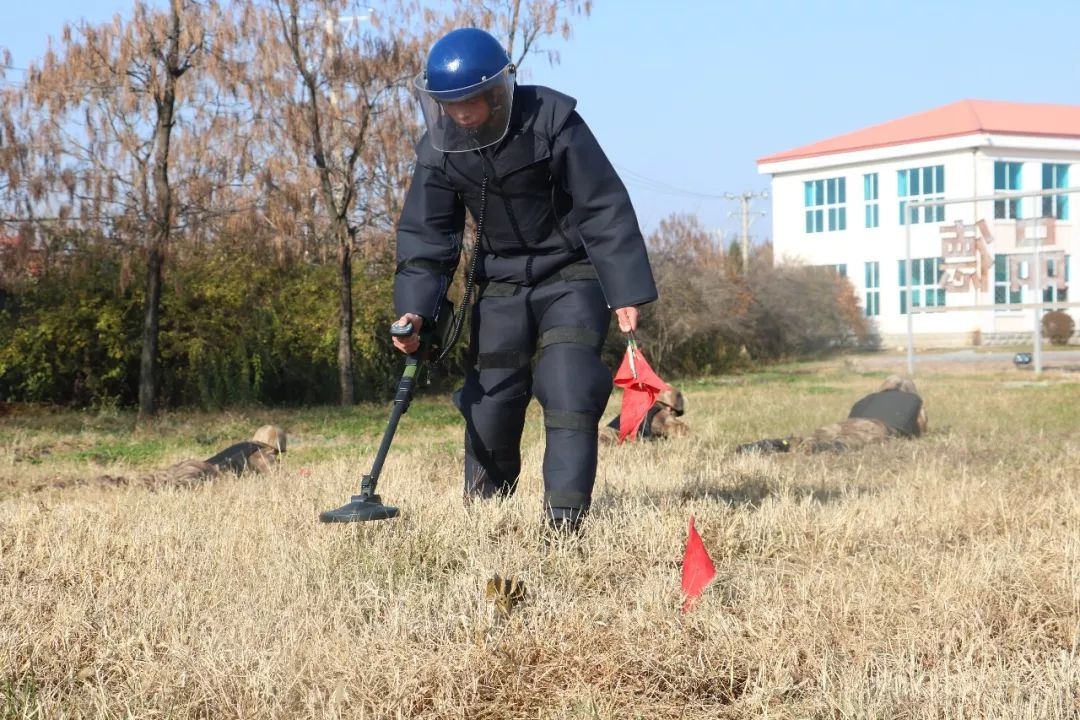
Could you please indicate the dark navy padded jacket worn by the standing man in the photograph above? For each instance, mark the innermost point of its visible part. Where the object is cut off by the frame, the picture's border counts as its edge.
(553, 201)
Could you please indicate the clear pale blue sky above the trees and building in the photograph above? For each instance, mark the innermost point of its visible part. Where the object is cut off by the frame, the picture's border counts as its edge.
(686, 96)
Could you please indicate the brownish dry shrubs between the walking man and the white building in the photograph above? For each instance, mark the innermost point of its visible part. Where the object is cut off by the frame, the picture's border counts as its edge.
(713, 317)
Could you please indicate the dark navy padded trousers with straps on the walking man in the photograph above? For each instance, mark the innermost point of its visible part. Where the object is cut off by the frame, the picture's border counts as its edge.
(564, 323)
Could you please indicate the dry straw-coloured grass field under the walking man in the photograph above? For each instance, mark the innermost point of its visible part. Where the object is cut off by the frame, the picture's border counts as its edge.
(929, 579)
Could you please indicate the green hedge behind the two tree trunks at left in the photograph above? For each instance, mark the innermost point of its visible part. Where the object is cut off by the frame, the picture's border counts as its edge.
(235, 330)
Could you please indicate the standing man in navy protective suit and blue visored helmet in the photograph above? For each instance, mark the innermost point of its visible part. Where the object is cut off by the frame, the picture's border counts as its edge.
(558, 249)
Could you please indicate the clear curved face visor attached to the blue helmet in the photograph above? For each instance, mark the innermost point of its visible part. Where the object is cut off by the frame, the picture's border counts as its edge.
(471, 118)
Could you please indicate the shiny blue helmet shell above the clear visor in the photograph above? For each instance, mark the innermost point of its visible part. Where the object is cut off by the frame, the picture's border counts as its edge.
(462, 61)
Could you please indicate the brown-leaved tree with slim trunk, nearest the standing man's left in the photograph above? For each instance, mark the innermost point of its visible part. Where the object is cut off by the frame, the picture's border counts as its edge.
(326, 80)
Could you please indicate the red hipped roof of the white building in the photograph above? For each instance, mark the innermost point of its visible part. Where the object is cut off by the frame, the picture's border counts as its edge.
(955, 120)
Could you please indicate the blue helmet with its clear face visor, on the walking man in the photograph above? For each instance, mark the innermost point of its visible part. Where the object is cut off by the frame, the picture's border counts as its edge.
(467, 67)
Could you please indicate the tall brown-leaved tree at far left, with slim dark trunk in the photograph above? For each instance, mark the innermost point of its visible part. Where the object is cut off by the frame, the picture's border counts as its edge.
(101, 114)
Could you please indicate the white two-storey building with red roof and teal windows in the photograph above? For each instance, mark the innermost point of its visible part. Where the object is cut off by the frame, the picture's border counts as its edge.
(842, 203)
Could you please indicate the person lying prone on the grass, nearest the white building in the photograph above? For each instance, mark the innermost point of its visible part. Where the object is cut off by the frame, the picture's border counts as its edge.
(895, 411)
